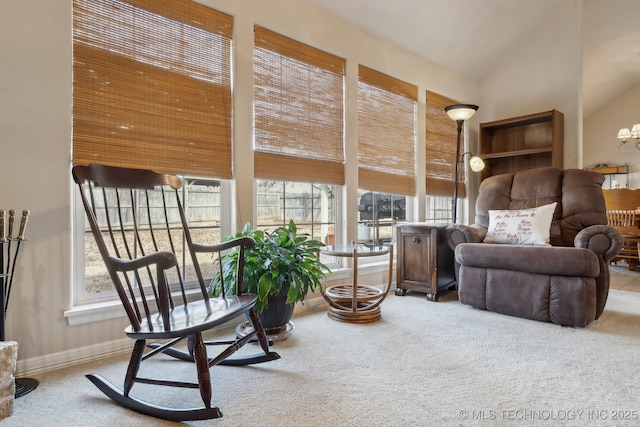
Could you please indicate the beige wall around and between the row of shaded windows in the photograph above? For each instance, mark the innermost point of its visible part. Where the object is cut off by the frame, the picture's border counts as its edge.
(35, 124)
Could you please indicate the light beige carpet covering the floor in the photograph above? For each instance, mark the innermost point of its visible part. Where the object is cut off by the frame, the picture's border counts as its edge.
(423, 364)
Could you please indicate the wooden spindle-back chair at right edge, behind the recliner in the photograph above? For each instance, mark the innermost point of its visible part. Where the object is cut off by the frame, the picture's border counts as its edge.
(623, 213)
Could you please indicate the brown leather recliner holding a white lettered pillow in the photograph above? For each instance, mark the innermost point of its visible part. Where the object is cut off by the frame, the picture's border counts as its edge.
(565, 283)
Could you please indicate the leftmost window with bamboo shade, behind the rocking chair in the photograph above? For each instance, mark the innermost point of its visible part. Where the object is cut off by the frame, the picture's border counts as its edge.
(125, 112)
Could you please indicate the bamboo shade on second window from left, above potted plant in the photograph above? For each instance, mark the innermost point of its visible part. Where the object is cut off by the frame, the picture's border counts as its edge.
(298, 110)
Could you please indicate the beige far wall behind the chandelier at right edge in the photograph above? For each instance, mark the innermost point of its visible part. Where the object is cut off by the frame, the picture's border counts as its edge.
(600, 131)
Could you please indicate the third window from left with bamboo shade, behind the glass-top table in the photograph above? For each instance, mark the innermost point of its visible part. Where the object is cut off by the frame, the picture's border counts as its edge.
(386, 153)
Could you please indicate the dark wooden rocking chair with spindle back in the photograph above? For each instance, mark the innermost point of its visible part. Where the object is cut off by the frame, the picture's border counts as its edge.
(141, 230)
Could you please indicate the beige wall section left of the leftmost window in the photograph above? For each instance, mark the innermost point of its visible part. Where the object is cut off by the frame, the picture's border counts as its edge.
(35, 123)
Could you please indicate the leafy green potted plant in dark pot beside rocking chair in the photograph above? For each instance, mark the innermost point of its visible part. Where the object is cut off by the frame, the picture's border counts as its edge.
(282, 268)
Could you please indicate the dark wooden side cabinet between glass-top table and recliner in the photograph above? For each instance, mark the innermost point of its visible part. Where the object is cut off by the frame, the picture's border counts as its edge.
(425, 260)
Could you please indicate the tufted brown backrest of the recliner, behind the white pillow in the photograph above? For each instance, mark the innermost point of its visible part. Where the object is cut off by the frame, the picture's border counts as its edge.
(578, 194)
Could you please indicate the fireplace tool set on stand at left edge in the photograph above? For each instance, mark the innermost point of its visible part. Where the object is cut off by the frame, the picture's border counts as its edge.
(9, 251)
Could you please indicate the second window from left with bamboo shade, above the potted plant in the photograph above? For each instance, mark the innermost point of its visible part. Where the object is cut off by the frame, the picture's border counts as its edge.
(299, 134)
